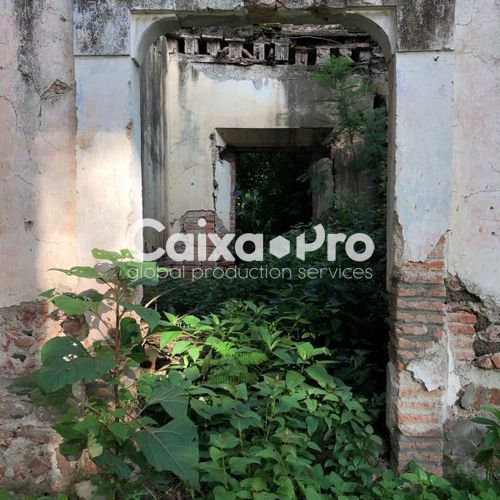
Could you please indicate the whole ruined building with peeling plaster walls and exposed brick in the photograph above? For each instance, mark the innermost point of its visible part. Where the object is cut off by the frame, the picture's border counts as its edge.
(112, 110)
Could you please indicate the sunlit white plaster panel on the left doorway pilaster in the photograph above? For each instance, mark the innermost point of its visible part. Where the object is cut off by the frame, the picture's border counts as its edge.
(109, 188)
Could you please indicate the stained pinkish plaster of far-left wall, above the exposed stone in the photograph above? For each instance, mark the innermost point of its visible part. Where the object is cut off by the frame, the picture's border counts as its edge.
(37, 138)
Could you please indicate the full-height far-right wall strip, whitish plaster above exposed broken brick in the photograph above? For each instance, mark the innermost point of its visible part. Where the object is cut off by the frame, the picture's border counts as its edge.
(473, 261)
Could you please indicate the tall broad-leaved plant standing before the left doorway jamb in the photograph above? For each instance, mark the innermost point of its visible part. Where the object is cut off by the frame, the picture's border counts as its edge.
(109, 424)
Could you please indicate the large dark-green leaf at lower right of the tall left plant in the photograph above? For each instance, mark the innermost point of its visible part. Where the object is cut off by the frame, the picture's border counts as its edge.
(173, 448)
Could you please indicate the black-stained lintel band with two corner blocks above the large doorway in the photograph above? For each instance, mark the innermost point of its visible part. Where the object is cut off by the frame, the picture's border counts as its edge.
(102, 26)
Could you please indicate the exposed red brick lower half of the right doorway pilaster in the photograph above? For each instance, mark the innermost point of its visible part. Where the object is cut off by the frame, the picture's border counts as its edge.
(418, 363)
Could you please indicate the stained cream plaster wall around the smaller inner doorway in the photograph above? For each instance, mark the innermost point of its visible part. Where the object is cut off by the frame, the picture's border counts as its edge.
(203, 97)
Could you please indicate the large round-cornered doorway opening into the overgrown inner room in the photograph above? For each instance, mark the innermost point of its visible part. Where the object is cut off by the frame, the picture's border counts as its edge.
(261, 145)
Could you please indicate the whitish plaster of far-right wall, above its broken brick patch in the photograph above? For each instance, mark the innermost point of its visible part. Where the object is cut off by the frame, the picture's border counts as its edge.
(474, 249)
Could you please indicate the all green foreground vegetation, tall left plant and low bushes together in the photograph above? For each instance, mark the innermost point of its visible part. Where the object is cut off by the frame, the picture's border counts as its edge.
(248, 407)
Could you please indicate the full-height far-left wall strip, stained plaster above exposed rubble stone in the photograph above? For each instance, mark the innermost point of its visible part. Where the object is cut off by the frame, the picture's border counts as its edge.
(37, 221)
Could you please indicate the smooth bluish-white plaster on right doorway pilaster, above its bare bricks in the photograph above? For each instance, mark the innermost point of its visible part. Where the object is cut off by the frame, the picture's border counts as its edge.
(424, 114)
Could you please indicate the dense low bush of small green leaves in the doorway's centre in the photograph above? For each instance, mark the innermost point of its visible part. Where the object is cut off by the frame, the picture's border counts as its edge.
(273, 422)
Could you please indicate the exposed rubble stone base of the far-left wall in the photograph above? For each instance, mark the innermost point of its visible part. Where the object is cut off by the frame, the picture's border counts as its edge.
(29, 460)
